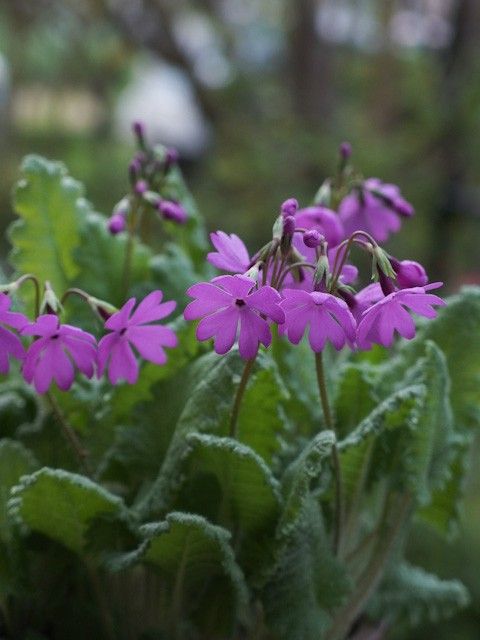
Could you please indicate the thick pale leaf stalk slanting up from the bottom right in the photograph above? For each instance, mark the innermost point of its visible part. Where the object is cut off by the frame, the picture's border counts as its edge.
(369, 580)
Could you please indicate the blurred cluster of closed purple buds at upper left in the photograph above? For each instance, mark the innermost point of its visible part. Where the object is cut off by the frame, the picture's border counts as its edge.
(149, 187)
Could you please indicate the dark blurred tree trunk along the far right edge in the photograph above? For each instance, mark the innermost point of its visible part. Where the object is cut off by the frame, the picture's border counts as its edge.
(457, 63)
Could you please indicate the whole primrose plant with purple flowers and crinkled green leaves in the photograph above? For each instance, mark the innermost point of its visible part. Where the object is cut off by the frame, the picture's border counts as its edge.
(199, 441)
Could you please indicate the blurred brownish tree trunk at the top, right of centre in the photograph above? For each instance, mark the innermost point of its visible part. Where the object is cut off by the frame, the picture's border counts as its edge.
(310, 63)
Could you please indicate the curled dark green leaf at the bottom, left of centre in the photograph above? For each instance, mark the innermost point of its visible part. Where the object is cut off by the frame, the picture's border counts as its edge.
(196, 558)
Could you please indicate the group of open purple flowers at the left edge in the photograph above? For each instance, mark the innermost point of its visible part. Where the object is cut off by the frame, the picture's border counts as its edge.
(59, 349)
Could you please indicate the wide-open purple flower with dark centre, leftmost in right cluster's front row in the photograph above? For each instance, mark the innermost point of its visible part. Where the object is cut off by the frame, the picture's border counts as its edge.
(227, 303)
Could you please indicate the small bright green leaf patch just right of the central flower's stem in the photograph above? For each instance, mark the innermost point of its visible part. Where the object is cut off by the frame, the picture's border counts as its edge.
(355, 397)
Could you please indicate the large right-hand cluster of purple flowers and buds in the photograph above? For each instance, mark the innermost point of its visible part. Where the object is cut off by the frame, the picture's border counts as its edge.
(302, 279)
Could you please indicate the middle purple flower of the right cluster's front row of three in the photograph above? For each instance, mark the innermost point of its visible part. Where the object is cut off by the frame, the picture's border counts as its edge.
(329, 319)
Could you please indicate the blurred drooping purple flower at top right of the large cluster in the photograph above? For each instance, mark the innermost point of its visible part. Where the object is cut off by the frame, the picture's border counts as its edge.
(377, 209)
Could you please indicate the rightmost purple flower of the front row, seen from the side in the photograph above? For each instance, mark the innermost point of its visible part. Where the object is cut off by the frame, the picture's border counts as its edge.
(379, 322)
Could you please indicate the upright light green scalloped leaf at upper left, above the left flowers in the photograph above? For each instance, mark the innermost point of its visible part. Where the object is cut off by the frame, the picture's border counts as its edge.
(50, 207)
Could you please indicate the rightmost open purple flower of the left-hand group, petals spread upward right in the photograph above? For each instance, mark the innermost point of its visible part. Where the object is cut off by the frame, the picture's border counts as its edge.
(115, 349)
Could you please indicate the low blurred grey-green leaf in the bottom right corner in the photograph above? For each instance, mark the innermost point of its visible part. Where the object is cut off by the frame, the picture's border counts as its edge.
(410, 596)
